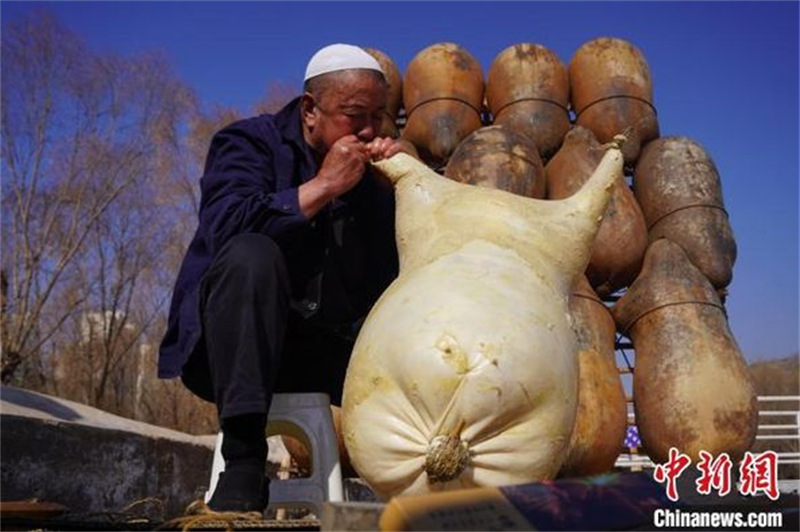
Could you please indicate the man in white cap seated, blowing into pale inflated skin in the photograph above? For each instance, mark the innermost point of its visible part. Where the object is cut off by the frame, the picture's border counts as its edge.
(295, 243)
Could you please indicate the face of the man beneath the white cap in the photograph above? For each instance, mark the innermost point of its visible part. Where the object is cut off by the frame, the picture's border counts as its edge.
(352, 103)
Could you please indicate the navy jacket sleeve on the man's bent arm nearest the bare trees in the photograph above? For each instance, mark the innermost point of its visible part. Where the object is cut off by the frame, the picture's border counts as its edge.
(240, 192)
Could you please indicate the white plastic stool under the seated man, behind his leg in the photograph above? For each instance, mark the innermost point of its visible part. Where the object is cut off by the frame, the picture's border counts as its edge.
(307, 417)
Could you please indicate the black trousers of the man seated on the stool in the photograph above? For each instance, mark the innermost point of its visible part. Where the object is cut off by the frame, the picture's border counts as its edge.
(253, 344)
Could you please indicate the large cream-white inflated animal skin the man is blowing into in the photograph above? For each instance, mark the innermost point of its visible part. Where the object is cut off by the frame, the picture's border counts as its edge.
(465, 371)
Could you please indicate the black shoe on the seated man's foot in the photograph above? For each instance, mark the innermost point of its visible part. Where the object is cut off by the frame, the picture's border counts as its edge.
(240, 490)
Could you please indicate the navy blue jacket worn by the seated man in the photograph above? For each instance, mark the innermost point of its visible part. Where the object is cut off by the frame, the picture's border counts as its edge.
(339, 262)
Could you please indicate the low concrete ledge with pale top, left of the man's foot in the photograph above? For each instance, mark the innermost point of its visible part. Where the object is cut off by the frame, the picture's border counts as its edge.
(91, 461)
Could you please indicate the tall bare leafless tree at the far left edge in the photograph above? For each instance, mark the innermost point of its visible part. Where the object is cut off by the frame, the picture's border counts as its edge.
(88, 142)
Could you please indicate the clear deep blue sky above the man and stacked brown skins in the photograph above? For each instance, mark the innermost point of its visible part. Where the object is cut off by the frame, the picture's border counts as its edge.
(725, 74)
